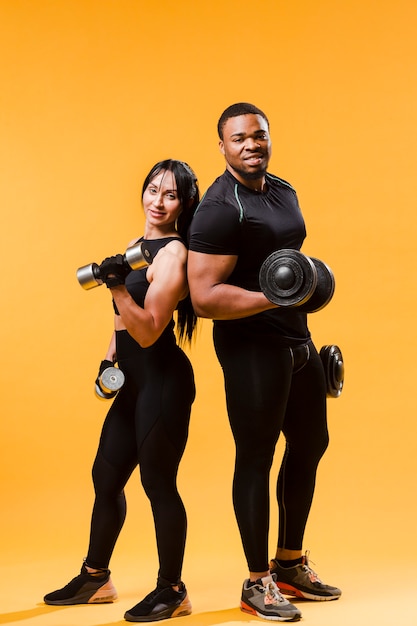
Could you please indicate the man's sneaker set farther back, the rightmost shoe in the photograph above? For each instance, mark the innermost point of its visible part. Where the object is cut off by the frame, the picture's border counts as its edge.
(301, 581)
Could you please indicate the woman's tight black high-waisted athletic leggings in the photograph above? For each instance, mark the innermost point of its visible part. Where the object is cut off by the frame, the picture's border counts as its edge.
(147, 425)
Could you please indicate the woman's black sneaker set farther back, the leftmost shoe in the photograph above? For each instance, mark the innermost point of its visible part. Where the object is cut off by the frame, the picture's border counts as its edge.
(85, 589)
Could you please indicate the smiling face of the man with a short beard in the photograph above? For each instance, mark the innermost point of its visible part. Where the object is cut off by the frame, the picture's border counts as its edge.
(247, 147)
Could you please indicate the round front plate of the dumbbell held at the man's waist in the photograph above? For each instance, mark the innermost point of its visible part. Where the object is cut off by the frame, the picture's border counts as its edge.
(288, 277)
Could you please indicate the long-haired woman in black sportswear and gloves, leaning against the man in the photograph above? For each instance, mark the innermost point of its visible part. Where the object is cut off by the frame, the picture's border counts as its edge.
(147, 424)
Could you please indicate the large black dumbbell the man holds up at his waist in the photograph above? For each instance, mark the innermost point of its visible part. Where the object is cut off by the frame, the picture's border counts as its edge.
(289, 278)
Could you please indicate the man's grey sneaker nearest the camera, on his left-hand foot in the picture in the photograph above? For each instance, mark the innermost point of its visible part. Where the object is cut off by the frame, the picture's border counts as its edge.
(263, 599)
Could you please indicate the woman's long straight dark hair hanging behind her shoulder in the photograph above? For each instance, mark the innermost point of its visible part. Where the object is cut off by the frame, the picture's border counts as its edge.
(189, 196)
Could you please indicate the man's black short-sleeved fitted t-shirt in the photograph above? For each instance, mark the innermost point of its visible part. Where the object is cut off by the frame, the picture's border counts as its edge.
(233, 219)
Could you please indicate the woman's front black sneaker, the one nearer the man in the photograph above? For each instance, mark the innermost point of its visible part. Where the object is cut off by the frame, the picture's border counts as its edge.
(161, 603)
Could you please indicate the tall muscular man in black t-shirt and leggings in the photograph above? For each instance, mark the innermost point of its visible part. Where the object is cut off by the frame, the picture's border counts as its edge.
(274, 379)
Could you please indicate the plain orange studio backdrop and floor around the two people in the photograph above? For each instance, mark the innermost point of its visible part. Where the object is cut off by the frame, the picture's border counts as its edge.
(93, 92)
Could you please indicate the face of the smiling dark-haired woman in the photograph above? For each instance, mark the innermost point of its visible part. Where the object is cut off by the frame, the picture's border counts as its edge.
(160, 200)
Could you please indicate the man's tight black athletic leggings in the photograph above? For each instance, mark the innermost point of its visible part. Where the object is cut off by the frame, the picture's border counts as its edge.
(269, 389)
